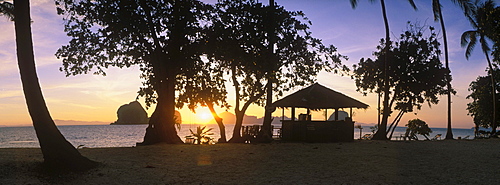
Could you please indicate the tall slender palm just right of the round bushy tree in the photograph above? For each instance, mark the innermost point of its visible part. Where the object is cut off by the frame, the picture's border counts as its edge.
(438, 16)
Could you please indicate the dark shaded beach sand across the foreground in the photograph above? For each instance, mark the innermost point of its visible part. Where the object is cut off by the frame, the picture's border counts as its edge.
(358, 162)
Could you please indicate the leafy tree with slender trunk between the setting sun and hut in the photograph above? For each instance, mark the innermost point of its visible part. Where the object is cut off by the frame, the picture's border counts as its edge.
(239, 40)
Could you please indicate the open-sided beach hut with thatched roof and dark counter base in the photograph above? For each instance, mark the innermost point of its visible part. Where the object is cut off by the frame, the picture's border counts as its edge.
(316, 97)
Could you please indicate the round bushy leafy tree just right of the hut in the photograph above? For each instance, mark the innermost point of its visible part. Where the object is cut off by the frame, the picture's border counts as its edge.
(415, 72)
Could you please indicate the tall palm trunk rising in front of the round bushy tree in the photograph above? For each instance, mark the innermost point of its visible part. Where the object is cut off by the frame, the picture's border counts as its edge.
(381, 133)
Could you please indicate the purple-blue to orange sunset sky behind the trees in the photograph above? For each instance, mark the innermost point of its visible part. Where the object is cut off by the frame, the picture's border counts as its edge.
(92, 99)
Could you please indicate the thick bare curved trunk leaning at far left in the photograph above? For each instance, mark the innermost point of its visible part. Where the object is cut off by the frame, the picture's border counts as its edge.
(57, 152)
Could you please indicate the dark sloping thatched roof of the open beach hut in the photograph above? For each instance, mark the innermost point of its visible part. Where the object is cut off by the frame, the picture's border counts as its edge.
(317, 96)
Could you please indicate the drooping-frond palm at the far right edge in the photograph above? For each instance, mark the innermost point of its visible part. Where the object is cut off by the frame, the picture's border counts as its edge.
(470, 38)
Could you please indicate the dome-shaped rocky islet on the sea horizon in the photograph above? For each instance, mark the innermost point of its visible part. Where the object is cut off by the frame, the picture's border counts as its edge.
(130, 114)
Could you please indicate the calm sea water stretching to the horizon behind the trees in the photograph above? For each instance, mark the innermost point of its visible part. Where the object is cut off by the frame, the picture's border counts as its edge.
(94, 136)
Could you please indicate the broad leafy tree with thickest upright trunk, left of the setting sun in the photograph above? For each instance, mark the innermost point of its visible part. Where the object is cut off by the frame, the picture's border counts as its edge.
(162, 37)
